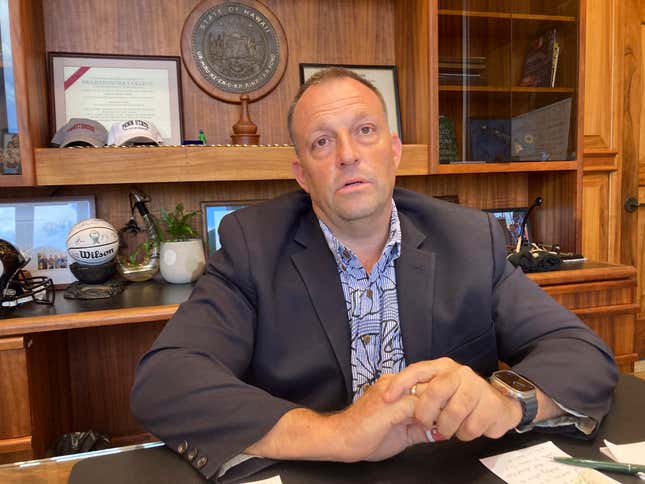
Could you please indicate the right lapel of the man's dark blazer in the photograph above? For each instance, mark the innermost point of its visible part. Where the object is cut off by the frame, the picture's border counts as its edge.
(415, 274)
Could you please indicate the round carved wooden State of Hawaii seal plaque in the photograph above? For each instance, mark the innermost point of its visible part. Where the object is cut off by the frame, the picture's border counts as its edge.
(234, 47)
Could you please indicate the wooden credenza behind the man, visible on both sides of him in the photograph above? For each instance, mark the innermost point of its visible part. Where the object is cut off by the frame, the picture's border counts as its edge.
(70, 367)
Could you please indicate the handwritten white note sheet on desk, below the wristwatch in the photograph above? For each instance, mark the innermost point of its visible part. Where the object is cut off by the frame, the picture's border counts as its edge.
(536, 465)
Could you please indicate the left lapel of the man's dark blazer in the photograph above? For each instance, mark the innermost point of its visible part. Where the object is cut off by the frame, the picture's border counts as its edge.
(317, 268)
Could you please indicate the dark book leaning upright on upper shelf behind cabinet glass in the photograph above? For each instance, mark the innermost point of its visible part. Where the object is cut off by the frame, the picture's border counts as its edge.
(541, 61)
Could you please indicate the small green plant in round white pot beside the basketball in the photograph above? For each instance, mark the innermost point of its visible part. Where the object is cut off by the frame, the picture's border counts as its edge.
(182, 250)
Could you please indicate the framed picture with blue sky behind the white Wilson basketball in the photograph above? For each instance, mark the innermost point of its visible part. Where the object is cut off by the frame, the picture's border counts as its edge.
(39, 228)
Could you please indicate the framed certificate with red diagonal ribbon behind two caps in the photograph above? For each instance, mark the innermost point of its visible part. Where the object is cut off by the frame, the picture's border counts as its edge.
(111, 88)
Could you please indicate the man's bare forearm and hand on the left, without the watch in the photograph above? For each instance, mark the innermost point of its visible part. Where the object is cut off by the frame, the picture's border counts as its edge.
(370, 429)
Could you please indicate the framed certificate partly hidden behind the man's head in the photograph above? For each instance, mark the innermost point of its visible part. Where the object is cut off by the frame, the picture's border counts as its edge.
(384, 79)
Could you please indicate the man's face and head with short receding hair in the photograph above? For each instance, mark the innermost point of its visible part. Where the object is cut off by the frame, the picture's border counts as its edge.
(347, 155)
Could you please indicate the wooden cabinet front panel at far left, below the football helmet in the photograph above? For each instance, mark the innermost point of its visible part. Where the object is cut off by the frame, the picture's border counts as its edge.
(14, 391)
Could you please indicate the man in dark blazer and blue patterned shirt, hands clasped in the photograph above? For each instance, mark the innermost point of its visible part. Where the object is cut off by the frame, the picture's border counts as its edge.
(351, 320)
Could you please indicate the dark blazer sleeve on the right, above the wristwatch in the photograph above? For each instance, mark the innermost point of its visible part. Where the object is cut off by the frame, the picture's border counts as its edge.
(548, 344)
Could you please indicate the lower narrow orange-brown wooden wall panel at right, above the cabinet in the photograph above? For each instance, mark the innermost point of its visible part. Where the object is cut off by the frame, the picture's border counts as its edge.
(595, 215)
